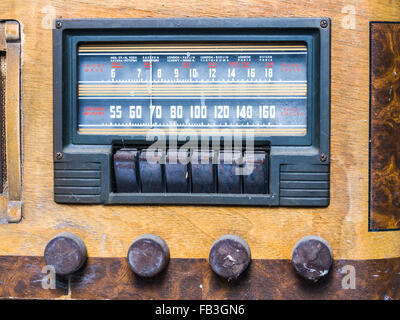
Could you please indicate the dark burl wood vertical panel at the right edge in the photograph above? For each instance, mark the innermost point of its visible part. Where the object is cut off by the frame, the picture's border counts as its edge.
(385, 126)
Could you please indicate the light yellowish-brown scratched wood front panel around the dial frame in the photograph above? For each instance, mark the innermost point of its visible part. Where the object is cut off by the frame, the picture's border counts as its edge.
(190, 231)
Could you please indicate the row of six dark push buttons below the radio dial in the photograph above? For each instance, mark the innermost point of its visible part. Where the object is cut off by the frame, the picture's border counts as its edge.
(233, 172)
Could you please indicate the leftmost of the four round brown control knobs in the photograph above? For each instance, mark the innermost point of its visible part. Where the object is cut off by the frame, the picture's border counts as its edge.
(66, 252)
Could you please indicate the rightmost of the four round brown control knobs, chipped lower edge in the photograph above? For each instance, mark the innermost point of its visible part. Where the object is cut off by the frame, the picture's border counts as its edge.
(312, 258)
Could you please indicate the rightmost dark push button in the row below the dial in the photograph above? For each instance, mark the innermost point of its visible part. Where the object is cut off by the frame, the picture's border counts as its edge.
(254, 172)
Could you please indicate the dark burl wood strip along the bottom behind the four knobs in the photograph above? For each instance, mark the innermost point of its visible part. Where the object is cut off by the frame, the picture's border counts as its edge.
(111, 278)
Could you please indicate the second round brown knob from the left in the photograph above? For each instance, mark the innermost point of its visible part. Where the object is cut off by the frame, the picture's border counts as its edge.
(148, 255)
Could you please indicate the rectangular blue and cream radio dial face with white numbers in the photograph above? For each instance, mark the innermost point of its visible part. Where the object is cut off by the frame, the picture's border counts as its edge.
(129, 89)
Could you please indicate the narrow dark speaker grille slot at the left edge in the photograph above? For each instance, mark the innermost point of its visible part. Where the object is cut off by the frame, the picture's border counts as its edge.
(3, 166)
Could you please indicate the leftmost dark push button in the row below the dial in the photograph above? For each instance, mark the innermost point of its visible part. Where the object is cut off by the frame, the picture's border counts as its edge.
(125, 164)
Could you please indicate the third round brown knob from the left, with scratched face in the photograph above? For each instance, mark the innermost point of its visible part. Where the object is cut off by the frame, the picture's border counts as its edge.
(229, 256)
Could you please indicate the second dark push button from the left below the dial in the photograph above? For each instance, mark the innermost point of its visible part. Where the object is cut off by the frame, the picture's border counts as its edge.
(150, 171)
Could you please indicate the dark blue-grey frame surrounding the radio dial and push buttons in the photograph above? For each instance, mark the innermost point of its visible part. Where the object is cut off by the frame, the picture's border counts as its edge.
(75, 149)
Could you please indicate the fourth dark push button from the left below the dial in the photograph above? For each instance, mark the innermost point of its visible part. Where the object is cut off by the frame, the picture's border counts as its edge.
(203, 177)
